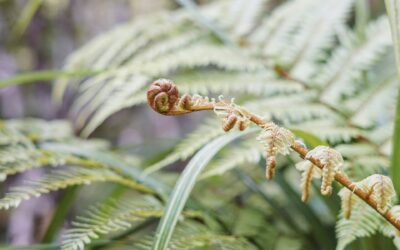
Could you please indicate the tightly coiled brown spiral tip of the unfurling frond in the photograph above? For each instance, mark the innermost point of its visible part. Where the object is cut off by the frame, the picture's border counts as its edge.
(162, 95)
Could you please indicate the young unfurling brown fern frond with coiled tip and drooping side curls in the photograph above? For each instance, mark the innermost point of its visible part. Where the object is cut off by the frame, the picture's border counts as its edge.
(376, 190)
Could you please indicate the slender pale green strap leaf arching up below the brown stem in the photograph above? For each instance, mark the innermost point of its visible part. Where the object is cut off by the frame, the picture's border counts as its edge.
(184, 186)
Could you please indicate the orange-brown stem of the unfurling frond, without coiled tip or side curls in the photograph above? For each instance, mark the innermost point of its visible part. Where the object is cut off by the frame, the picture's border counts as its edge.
(297, 147)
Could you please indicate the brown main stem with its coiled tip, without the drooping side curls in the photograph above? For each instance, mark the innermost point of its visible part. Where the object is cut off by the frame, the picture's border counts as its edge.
(169, 106)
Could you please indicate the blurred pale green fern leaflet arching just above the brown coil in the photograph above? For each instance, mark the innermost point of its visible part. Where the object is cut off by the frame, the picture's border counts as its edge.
(129, 79)
